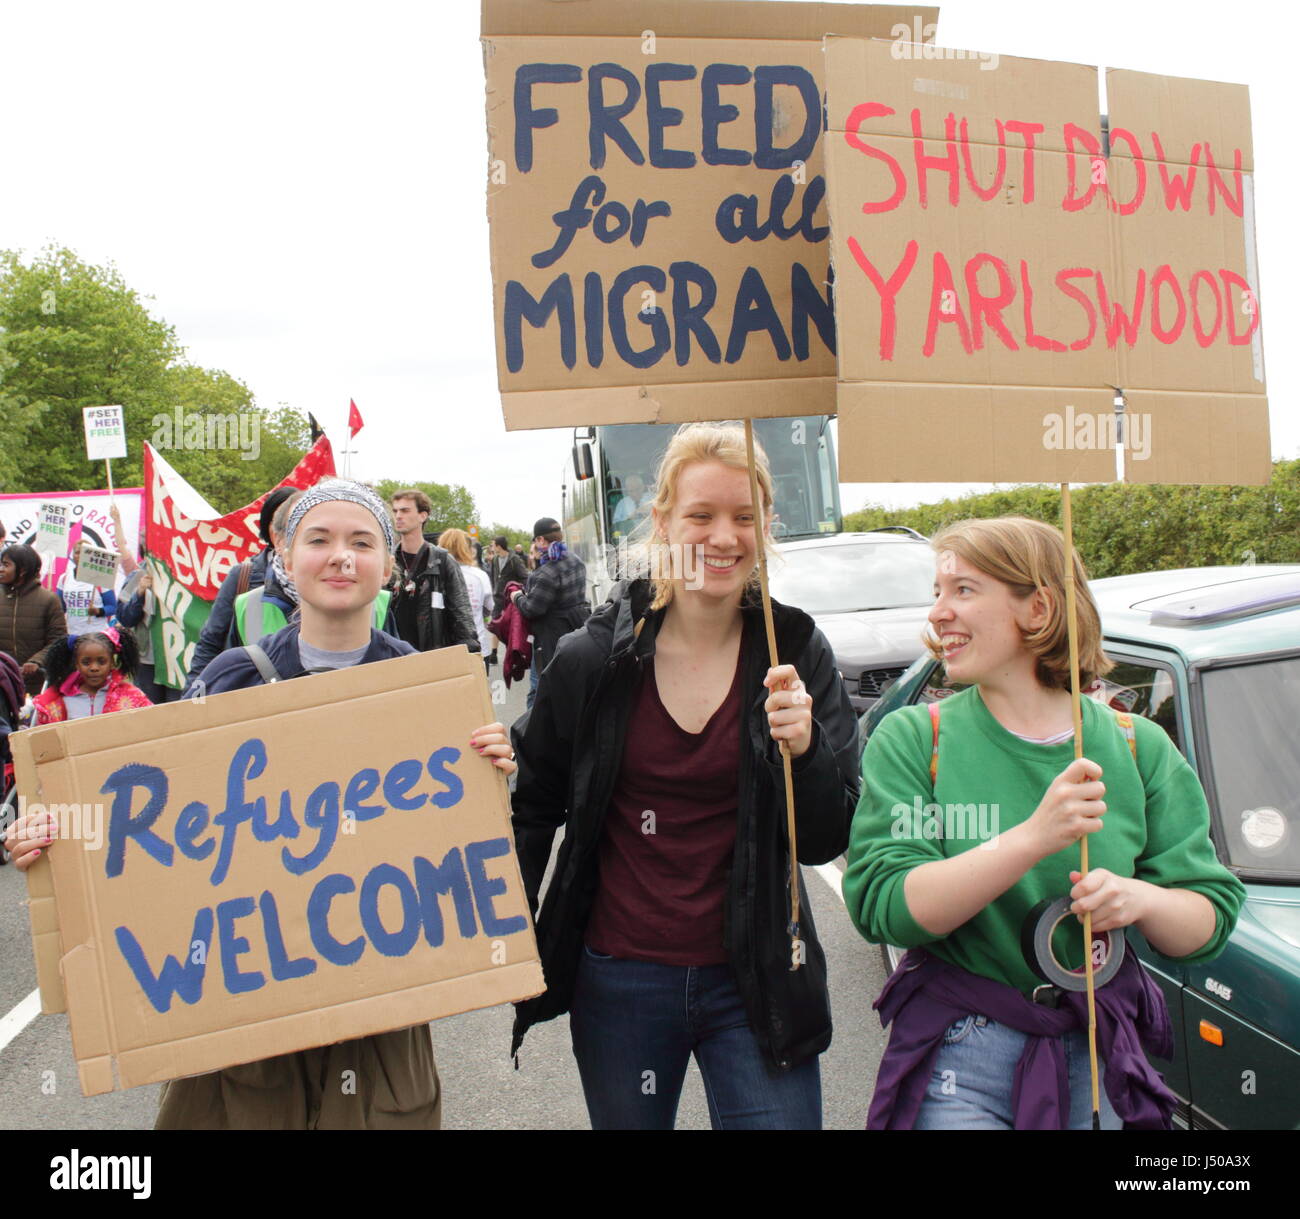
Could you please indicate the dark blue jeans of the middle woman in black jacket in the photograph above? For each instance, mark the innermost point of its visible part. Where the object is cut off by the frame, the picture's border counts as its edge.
(636, 1025)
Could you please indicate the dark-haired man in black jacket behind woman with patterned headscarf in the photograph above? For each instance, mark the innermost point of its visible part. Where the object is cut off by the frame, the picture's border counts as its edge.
(431, 604)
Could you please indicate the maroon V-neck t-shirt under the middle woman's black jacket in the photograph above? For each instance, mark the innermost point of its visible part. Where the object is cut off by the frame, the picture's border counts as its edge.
(669, 835)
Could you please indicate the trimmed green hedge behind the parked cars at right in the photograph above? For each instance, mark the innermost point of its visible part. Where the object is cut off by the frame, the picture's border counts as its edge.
(1121, 528)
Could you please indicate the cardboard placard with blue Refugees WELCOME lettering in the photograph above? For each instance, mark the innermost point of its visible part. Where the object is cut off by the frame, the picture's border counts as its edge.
(275, 869)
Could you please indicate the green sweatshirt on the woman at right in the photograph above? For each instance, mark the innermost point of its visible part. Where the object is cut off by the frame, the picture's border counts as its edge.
(990, 780)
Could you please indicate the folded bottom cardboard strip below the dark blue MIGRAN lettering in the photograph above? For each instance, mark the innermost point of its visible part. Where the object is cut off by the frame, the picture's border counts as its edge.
(670, 404)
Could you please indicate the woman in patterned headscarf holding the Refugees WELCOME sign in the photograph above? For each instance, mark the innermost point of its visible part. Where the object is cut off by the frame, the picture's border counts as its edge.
(340, 554)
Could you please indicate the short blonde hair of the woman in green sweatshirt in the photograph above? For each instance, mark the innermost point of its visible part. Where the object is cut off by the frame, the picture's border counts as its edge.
(1029, 557)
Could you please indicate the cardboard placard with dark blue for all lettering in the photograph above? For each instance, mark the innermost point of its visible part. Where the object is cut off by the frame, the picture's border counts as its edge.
(657, 207)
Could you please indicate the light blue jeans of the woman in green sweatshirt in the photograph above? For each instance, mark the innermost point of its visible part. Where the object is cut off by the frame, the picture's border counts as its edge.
(970, 1088)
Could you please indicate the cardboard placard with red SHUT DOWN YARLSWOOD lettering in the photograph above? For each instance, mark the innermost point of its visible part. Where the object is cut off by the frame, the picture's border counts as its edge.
(1000, 276)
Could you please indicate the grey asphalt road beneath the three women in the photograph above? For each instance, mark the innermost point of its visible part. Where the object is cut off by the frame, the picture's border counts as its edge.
(482, 1087)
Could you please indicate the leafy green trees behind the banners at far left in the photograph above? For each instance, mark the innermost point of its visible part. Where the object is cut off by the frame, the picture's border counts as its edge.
(76, 336)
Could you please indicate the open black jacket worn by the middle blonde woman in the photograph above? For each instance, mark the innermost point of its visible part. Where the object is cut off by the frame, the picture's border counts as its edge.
(570, 748)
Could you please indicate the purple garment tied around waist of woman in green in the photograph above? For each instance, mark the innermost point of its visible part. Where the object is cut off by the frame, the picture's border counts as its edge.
(925, 996)
